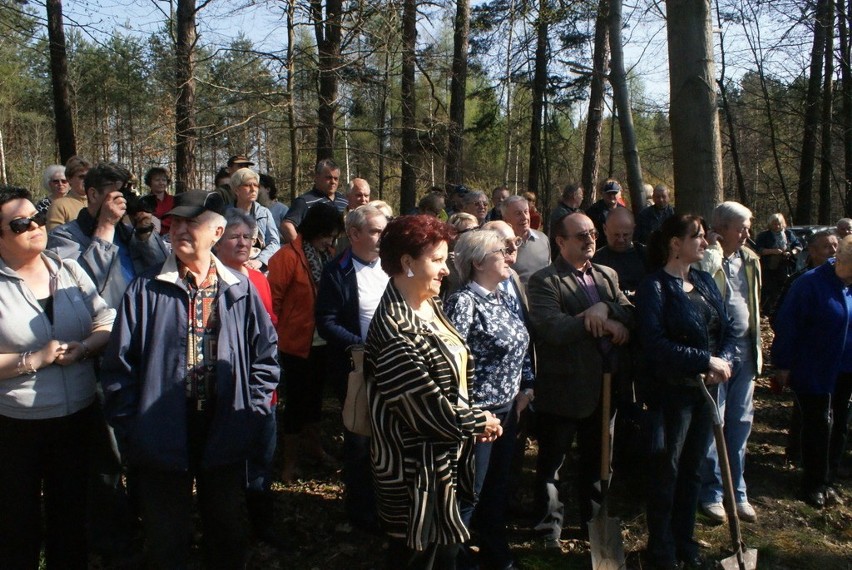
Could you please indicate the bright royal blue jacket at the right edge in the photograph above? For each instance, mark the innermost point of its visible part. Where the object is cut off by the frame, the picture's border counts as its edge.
(810, 330)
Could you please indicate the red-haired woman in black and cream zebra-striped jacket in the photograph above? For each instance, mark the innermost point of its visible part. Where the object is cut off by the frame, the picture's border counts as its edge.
(423, 426)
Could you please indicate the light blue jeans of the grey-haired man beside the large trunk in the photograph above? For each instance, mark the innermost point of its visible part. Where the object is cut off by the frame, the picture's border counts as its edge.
(736, 406)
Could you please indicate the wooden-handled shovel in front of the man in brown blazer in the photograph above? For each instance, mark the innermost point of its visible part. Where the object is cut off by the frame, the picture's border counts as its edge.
(605, 531)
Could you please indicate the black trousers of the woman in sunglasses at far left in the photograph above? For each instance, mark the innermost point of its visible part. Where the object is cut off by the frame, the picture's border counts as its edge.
(44, 459)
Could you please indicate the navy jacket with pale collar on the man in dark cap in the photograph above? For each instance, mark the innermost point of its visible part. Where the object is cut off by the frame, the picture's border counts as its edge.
(144, 368)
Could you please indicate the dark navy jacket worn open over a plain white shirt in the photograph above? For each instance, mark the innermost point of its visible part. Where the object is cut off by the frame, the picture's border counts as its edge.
(337, 312)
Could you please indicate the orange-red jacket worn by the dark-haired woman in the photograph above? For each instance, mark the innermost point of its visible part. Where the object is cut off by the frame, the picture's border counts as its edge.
(294, 295)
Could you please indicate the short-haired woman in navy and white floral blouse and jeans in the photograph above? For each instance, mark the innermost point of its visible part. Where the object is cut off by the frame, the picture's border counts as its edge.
(502, 382)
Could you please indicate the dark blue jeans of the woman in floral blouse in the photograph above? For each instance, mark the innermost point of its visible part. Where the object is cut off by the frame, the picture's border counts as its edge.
(487, 512)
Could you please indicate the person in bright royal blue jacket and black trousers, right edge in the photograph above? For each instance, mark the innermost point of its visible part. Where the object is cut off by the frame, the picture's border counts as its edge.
(812, 352)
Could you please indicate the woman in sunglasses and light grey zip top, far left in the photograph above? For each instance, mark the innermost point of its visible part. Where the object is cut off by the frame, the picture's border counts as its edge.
(52, 323)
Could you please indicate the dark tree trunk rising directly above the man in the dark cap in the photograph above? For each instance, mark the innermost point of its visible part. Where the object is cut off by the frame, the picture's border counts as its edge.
(185, 133)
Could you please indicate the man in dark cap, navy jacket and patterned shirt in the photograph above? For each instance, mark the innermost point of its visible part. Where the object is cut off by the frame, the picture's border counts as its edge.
(189, 371)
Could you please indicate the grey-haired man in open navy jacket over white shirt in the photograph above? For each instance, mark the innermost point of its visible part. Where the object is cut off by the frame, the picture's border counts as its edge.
(350, 289)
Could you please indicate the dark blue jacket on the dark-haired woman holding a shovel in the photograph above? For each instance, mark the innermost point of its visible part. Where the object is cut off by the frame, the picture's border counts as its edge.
(674, 335)
